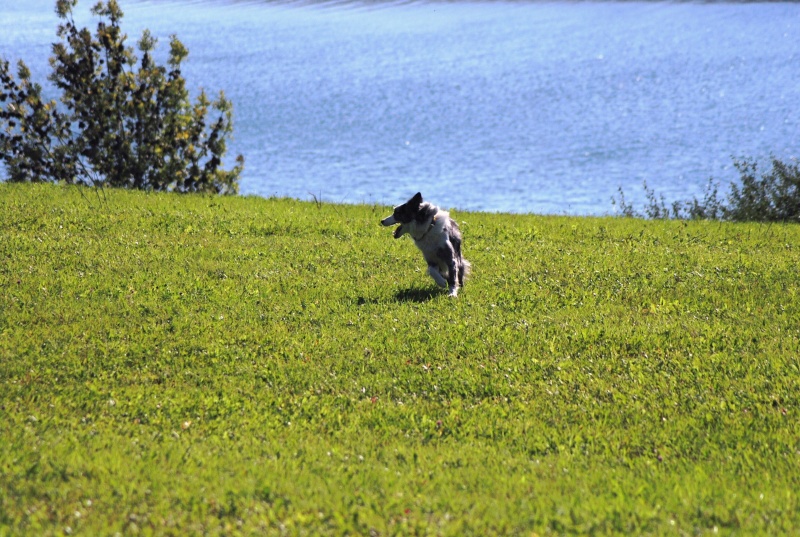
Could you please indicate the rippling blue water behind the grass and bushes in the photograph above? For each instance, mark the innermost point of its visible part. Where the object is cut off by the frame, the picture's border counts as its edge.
(545, 107)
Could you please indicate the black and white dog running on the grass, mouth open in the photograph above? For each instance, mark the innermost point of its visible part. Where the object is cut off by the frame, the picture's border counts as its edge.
(437, 236)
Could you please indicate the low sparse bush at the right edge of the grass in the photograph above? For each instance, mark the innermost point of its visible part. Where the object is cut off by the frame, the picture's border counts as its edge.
(773, 196)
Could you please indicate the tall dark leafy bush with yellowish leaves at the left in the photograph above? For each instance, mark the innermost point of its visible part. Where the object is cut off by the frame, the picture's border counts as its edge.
(121, 126)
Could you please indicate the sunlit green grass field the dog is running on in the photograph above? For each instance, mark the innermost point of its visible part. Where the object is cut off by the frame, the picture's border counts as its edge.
(177, 365)
